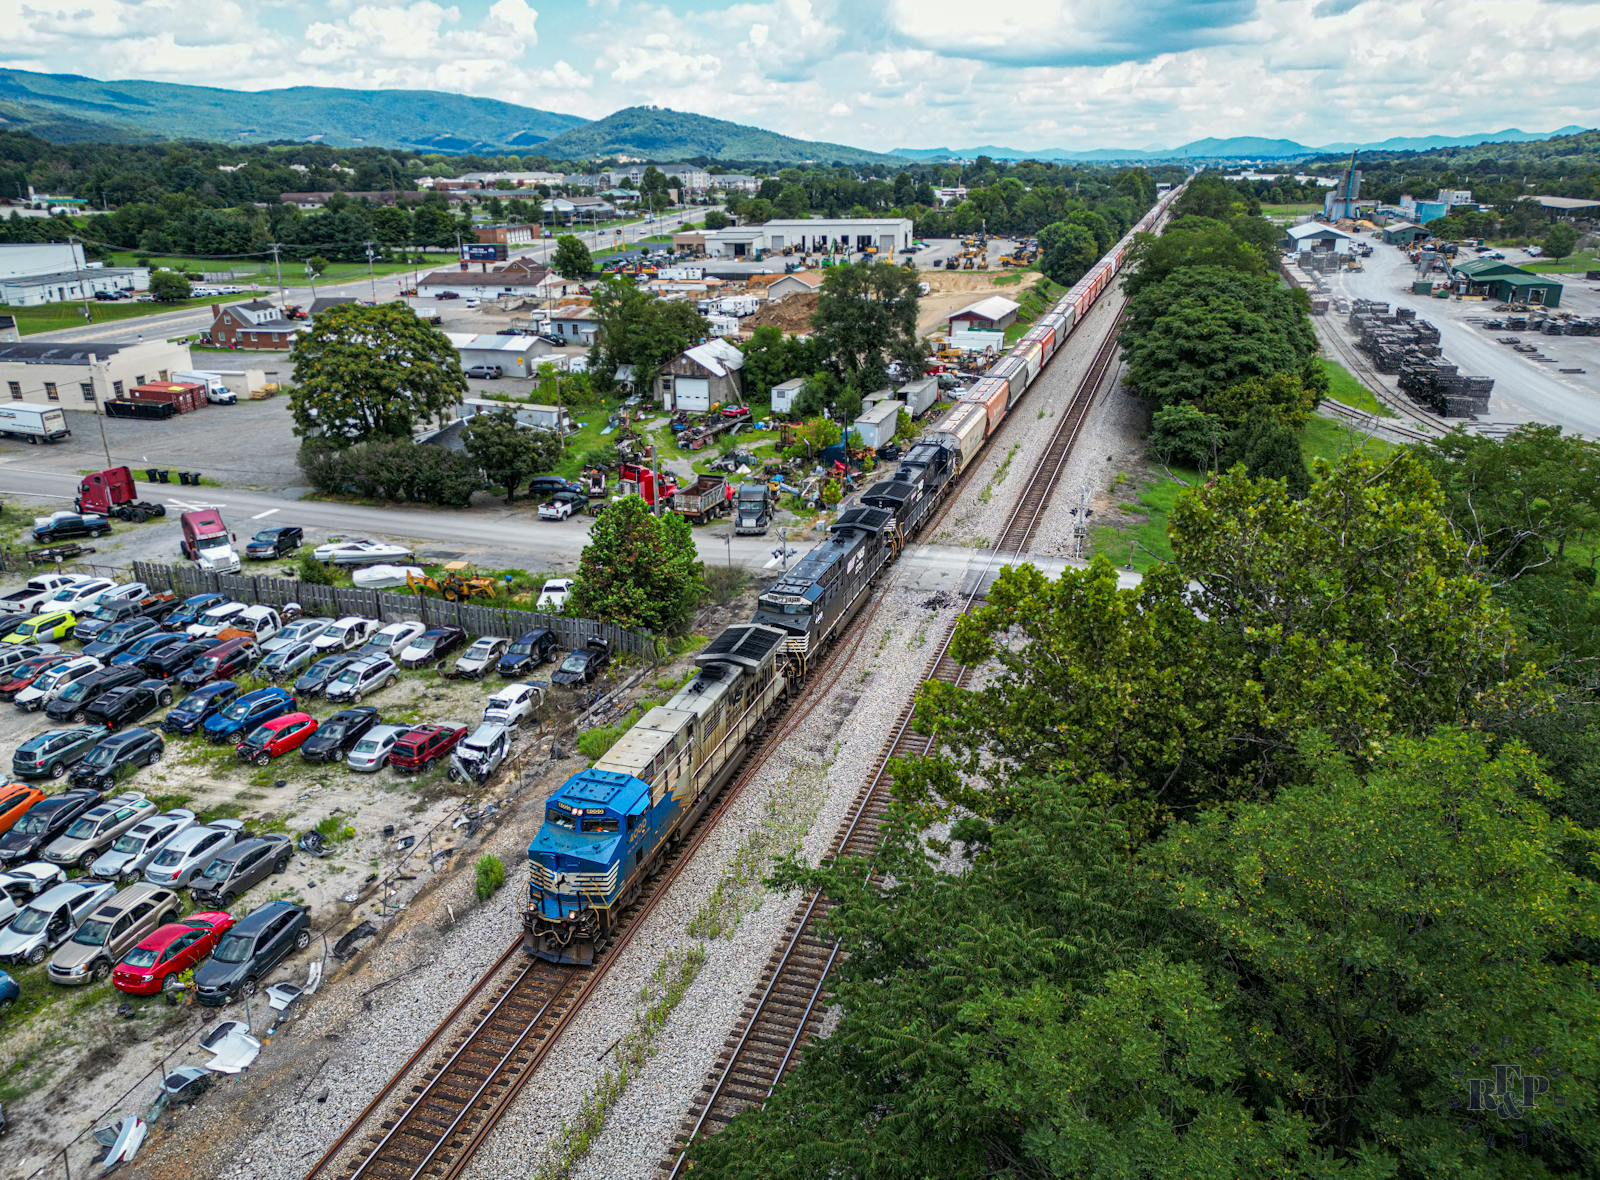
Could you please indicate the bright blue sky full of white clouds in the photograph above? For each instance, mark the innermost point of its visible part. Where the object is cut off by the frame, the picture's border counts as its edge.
(886, 74)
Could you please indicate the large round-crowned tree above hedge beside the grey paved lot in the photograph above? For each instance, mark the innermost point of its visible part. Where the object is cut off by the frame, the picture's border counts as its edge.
(372, 373)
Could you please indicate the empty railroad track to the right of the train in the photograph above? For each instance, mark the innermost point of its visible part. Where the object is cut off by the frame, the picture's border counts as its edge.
(791, 995)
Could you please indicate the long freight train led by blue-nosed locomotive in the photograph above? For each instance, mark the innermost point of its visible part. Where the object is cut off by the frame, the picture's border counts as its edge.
(612, 826)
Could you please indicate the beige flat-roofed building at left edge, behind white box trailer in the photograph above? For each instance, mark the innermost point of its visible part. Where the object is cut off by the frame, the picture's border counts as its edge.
(82, 377)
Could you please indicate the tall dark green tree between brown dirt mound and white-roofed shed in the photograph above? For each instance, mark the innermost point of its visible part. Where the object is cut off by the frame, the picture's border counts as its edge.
(866, 317)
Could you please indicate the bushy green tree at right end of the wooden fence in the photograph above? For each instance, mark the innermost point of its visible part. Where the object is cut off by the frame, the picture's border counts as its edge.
(639, 570)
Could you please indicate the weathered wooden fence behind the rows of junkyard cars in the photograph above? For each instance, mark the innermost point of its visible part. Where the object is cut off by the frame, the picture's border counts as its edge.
(332, 602)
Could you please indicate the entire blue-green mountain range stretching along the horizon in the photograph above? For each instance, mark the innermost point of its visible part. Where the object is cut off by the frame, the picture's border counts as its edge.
(66, 108)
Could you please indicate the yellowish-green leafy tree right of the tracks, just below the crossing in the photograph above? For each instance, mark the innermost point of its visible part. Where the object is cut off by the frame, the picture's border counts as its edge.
(1351, 610)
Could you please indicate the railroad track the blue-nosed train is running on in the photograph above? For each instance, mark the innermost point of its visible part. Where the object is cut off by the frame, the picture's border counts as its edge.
(444, 1102)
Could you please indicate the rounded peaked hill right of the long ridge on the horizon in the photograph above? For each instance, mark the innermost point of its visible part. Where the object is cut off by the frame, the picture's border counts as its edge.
(658, 134)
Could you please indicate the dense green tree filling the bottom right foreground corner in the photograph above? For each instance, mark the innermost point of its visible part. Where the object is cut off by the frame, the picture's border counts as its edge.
(1294, 989)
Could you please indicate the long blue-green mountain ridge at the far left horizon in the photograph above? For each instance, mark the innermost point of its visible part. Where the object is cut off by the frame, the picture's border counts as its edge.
(65, 108)
